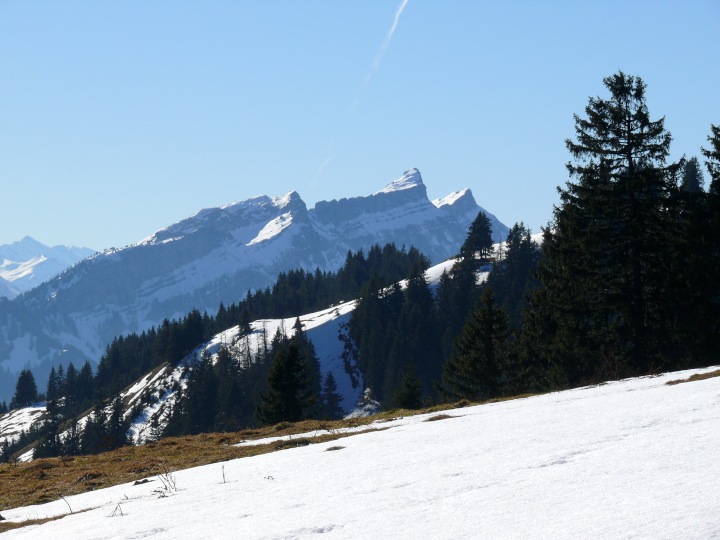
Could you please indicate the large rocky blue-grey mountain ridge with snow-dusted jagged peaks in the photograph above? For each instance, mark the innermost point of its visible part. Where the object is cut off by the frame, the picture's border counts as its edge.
(218, 255)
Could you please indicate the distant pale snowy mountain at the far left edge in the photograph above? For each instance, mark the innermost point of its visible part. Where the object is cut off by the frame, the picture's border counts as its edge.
(27, 263)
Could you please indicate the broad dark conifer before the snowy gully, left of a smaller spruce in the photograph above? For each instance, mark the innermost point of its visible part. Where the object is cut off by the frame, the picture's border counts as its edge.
(290, 396)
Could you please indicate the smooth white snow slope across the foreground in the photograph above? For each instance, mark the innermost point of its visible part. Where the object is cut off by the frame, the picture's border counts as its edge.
(632, 459)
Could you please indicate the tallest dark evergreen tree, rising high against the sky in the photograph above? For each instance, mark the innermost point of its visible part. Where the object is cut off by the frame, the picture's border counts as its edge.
(603, 266)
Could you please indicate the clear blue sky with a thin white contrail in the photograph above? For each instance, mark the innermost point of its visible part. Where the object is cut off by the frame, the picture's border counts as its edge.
(119, 118)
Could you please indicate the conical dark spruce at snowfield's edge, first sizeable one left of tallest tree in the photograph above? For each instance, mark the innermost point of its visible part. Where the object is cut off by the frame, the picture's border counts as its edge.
(476, 371)
